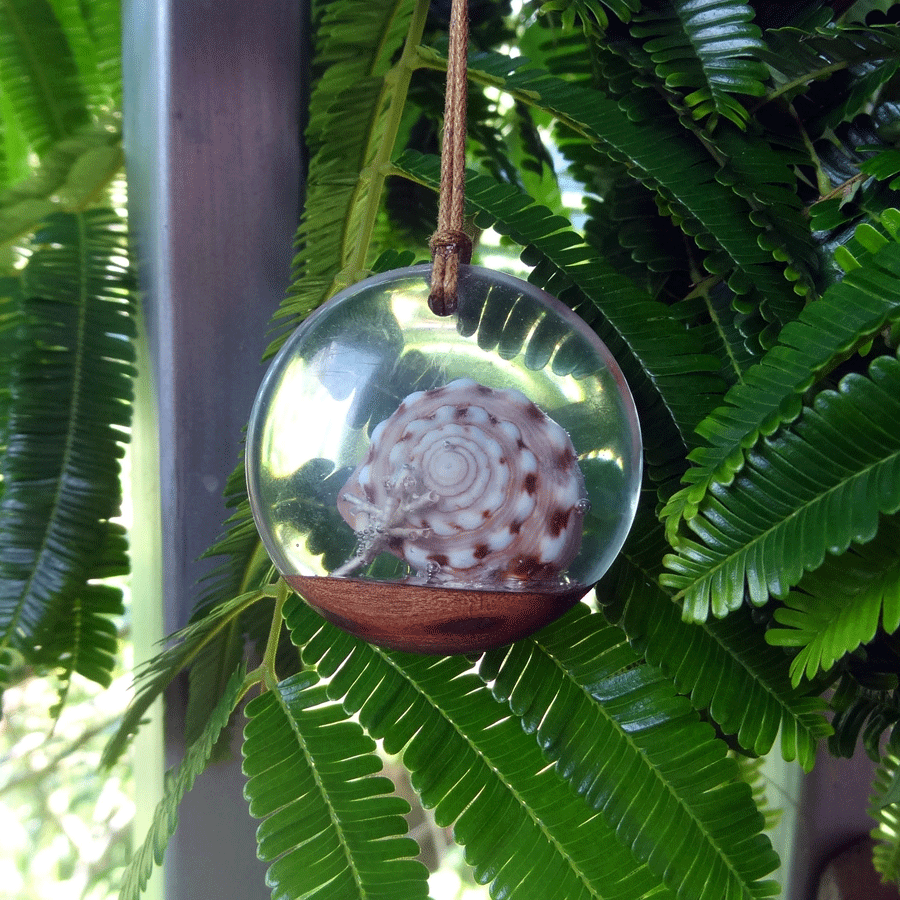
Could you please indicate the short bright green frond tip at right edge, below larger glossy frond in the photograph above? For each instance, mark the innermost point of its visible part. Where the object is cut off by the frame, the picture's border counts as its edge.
(841, 604)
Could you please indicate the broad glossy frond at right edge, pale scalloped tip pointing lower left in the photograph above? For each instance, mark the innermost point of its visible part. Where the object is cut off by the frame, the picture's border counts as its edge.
(825, 480)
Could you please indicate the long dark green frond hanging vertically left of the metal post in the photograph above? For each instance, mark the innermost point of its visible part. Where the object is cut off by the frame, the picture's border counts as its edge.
(70, 403)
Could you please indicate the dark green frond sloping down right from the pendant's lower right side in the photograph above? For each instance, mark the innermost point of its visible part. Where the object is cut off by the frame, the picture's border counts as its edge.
(713, 662)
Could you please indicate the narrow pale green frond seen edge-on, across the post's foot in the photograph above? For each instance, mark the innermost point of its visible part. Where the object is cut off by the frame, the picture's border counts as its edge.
(165, 818)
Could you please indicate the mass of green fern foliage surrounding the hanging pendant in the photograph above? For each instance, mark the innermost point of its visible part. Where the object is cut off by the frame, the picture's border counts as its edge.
(738, 251)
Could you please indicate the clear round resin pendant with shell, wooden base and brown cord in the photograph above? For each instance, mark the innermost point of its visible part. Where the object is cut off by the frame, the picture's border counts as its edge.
(443, 458)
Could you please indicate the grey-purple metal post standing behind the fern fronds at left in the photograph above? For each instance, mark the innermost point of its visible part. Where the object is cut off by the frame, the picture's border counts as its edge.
(212, 109)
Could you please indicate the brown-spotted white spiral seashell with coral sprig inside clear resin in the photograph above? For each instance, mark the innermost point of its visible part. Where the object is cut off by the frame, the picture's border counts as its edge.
(471, 486)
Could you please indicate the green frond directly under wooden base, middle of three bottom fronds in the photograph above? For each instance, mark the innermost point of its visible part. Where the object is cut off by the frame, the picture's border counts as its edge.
(523, 828)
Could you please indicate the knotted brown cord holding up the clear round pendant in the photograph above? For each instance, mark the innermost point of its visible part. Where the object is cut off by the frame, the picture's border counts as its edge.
(450, 245)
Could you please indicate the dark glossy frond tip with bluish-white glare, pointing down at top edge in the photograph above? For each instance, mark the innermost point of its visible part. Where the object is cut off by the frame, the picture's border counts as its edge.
(709, 49)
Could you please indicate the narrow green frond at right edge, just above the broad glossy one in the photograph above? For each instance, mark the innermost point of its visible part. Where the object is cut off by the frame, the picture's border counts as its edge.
(849, 313)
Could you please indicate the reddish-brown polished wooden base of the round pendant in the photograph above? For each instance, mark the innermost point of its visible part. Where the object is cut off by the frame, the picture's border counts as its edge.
(436, 620)
